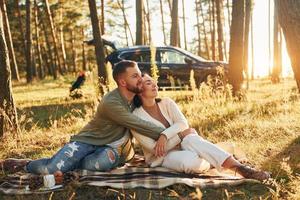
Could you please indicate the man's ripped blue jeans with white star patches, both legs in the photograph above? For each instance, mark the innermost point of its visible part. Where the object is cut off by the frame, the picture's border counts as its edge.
(77, 155)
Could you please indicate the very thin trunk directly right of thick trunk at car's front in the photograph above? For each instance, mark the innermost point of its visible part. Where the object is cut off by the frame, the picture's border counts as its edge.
(246, 38)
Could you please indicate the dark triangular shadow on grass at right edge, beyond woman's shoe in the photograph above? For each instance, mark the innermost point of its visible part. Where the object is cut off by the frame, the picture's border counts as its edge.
(286, 162)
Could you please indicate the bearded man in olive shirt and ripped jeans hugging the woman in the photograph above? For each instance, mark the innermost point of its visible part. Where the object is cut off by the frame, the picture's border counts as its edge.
(104, 143)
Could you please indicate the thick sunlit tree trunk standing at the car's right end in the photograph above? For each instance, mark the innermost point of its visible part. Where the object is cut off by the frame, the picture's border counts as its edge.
(236, 45)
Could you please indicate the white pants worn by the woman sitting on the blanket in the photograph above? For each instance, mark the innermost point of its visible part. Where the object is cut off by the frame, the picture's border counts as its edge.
(196, 156)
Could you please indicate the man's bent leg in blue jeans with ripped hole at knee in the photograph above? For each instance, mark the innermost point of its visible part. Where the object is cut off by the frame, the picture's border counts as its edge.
(103, 159)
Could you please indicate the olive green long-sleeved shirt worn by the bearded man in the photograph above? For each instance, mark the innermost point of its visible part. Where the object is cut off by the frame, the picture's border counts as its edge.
(112, 120)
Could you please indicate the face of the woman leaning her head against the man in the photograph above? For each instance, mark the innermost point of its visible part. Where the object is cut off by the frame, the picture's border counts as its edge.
(150, 88)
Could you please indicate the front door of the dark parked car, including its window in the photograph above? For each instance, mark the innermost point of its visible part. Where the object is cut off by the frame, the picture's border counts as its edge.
(172, 65)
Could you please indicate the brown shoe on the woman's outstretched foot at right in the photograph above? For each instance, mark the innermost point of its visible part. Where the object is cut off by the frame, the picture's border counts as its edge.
(251, 173)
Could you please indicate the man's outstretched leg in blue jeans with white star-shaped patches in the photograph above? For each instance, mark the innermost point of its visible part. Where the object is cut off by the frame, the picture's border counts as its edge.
(66, 159)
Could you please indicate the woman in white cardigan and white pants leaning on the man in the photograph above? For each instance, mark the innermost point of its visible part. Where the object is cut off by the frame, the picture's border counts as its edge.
(194, 154)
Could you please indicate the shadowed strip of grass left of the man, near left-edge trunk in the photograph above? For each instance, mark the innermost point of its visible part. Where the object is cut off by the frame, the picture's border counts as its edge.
(43, 116)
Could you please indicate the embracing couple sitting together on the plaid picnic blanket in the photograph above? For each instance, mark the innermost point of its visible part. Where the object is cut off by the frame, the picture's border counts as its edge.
(158, 124)
